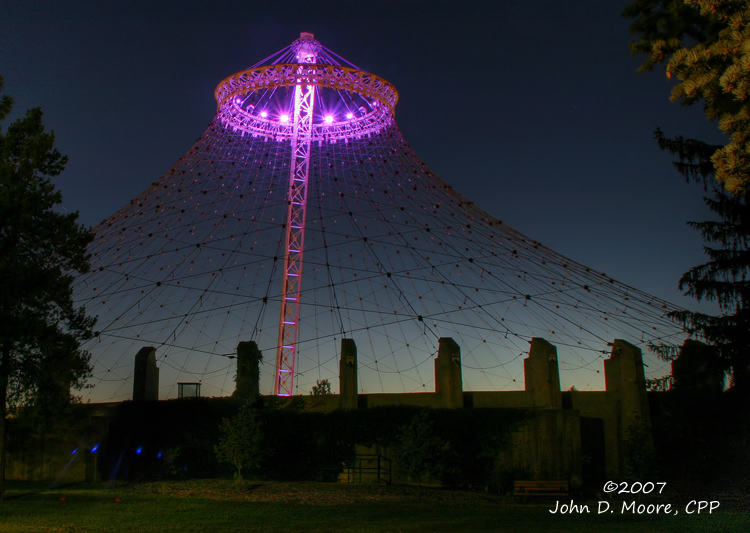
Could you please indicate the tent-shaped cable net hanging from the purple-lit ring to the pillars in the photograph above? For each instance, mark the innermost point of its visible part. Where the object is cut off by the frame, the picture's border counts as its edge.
(394, 258)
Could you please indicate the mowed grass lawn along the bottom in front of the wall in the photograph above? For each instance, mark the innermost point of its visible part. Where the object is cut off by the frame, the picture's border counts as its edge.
(221, 505)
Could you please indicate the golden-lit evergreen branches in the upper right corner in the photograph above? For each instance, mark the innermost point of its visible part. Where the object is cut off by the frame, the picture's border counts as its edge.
(706, 46)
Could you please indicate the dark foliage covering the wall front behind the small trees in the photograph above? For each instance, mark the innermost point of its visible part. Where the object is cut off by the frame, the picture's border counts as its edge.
(297, 445)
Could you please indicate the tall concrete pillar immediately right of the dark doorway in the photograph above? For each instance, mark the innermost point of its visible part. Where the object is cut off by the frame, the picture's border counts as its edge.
(625, 379)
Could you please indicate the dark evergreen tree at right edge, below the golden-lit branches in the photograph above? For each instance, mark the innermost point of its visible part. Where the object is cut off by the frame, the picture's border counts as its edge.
(725, 278)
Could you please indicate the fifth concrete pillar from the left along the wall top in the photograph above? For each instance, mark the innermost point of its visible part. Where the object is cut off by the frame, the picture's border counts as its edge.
(542, 375)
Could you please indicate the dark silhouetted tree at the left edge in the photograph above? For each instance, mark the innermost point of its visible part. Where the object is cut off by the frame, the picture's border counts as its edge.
(41, 250)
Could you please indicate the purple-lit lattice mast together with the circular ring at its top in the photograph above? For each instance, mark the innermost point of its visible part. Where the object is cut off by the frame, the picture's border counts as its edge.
(250, 102)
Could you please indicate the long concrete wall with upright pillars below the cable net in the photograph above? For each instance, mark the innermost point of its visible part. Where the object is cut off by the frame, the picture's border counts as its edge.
(546, 447)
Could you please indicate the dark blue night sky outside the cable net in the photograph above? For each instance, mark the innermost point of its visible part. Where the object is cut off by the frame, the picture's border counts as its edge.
(532, 110)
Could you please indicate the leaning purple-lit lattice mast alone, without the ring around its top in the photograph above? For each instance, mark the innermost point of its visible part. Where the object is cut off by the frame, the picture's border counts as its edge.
(294, 246)
